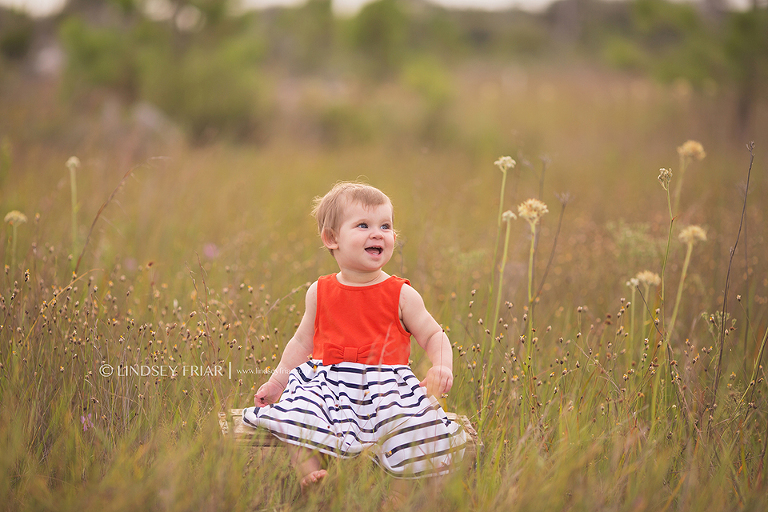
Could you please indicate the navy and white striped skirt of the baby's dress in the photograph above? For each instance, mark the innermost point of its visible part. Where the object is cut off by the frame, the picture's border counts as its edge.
(346, 409)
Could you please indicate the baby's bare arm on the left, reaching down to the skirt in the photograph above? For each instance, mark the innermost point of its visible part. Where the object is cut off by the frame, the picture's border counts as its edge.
(296, 352)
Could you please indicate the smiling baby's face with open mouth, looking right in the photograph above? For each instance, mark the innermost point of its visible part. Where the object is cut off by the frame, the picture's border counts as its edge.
(365, 239)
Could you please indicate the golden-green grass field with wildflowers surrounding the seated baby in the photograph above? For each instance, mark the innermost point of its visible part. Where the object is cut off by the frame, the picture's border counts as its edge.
(590, 392)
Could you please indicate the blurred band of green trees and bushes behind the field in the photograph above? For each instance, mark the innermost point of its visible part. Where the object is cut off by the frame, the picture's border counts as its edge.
(215, 71)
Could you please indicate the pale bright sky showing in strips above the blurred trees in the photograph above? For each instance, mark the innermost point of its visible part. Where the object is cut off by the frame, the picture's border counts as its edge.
(43, 7)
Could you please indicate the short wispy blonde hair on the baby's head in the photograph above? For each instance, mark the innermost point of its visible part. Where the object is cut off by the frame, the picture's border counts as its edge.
(329, 209)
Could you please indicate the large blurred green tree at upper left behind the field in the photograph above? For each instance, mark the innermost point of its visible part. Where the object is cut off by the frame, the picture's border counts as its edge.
(202, 71)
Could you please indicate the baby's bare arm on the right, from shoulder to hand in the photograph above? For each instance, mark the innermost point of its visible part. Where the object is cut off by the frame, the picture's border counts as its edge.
(430, 336)
